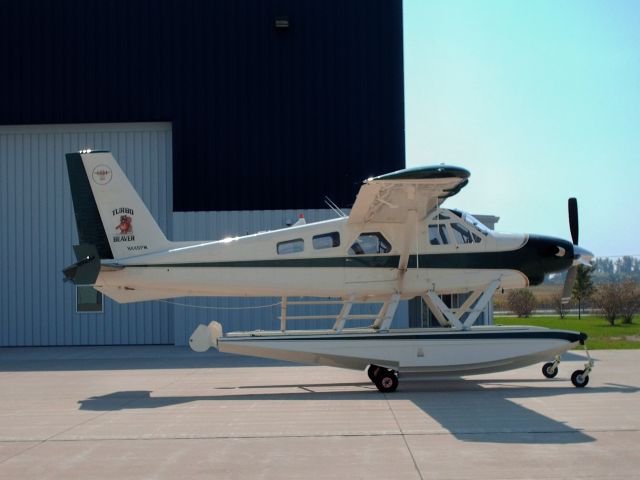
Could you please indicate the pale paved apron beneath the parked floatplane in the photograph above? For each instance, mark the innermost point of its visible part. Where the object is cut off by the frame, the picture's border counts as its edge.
(166, 412)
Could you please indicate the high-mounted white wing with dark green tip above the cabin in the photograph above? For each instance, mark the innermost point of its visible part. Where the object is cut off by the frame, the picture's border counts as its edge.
(388, 198)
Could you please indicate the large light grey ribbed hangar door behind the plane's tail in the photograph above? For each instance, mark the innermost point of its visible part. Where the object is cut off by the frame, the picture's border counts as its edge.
(37, 231)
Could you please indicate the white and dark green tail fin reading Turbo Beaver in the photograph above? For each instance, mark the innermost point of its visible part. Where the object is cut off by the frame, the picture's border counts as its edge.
(109, 213)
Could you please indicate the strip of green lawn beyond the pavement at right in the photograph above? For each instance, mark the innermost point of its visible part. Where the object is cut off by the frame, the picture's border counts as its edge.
(601, 334)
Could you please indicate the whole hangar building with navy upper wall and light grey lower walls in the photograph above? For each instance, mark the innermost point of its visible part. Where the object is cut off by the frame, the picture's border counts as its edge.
(224, 114)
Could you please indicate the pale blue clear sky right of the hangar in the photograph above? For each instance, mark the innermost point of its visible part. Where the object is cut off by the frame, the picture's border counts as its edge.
(540, 101)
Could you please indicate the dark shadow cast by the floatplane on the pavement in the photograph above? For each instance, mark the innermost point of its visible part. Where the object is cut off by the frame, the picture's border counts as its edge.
(468, 410)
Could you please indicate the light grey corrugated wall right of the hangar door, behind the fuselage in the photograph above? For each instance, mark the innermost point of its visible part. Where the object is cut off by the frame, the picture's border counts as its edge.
(237, 313)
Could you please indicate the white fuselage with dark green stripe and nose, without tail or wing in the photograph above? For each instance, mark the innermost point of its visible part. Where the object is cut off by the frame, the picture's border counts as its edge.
(335, 258)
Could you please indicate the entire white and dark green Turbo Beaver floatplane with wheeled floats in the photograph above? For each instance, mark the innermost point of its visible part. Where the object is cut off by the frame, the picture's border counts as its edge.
(396, 243)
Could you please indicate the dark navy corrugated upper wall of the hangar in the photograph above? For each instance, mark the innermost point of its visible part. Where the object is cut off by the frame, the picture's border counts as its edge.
(262, 119)
